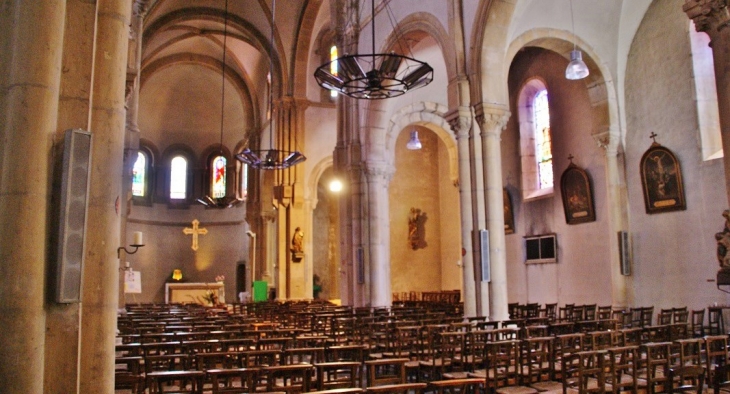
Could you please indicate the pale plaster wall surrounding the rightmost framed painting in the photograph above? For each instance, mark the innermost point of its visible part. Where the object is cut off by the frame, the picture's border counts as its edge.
(674, 252)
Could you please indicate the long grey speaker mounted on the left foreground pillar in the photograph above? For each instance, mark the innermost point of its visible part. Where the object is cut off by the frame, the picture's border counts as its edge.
(72, 205)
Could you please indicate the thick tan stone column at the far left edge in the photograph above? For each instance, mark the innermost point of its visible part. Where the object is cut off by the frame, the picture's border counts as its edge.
(31, 45)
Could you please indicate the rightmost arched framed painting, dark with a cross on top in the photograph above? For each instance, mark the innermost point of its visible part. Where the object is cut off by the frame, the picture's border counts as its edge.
(661, 180)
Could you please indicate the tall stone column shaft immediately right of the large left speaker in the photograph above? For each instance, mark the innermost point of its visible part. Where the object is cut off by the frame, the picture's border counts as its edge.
(101, 267)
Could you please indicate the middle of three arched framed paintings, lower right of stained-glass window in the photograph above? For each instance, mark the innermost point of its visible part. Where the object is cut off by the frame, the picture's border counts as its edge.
(575, 188)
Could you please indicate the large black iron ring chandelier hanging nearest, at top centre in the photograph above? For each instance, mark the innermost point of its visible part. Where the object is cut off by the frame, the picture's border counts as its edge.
(389, 75)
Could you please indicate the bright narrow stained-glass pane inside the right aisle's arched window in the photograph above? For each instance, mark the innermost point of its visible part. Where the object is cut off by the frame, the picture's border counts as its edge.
(543, 140)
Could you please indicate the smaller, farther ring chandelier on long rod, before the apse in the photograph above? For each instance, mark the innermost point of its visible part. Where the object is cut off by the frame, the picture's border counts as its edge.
(272, 158)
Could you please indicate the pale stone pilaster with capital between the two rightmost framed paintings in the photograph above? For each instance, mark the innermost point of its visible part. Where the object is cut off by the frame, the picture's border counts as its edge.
(617, 214)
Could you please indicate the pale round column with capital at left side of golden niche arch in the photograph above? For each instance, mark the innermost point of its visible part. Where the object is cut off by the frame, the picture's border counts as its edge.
(378, 176)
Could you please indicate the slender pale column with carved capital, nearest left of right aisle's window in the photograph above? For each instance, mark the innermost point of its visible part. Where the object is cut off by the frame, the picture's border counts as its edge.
(492, 120)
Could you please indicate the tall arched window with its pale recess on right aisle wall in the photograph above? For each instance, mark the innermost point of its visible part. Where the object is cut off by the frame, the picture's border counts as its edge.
(536, 140)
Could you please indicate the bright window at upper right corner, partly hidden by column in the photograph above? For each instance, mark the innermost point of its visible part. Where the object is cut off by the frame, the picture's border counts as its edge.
(708, 114)
